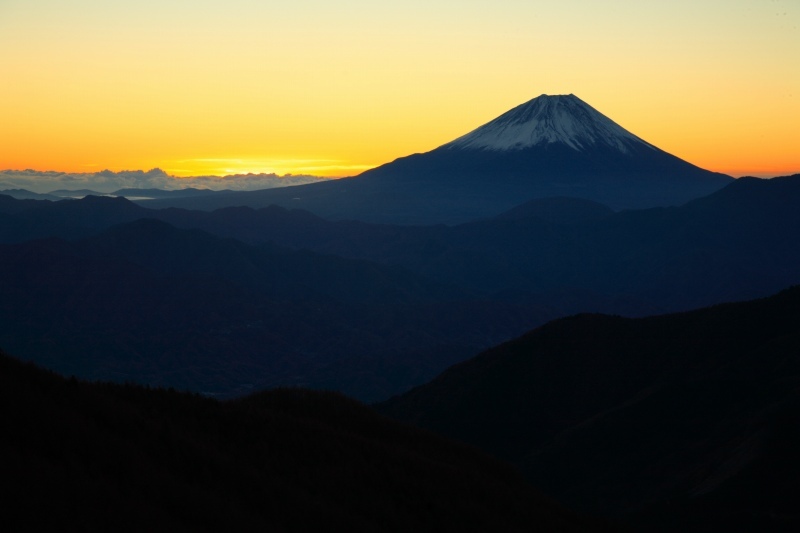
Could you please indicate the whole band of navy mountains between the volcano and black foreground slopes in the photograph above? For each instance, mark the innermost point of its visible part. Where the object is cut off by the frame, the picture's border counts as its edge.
(367, 309)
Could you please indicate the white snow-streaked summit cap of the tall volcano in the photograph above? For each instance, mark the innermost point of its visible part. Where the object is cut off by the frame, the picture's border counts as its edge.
(549, 119)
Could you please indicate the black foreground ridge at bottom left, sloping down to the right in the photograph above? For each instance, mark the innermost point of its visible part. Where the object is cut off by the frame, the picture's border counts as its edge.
(85, 457)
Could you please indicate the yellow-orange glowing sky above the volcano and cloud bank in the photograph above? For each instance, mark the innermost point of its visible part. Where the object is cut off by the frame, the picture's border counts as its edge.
(207, 87)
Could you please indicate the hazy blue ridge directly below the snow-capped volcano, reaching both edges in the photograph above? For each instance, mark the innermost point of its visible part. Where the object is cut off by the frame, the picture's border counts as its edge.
(737, 243)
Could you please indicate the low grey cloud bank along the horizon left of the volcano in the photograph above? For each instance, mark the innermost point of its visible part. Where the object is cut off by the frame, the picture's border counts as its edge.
(107, 181)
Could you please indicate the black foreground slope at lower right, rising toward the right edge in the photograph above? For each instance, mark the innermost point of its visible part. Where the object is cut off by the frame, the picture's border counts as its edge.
(686, 422)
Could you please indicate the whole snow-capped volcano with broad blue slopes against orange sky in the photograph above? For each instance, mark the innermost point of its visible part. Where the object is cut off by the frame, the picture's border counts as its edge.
(550, 146)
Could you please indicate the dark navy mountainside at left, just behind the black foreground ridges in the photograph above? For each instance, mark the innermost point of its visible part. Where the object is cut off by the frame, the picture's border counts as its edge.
(154, 304)
